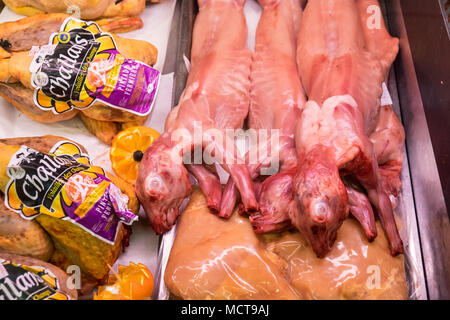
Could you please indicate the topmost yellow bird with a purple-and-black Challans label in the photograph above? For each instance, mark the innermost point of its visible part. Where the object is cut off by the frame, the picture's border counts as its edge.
(54, 67)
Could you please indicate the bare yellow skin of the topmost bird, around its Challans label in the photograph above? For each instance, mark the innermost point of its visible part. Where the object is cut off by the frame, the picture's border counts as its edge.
(18, 37)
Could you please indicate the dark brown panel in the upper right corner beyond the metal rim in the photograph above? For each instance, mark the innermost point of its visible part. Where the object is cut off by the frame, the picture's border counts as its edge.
(430, 48)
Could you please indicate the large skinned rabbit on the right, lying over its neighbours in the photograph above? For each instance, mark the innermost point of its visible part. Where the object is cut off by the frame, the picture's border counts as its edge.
(342, 65)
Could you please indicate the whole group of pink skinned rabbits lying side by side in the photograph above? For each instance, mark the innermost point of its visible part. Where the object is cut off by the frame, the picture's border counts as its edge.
(315, 79)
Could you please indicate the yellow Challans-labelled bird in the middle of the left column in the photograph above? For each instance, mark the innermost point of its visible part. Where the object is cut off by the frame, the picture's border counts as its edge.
(61, 209)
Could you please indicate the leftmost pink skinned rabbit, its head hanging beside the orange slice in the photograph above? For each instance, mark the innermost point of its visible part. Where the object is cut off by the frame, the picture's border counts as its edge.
(216, 98)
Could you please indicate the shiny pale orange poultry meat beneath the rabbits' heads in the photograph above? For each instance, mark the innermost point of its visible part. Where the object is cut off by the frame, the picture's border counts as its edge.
(213, 258)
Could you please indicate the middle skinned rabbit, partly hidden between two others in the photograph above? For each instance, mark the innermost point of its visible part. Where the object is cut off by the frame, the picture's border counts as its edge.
(277, 99)
